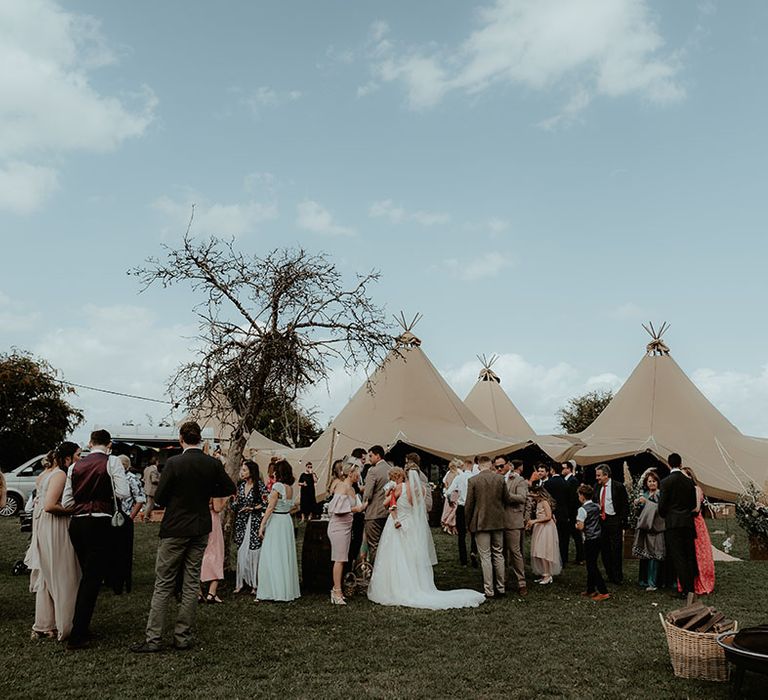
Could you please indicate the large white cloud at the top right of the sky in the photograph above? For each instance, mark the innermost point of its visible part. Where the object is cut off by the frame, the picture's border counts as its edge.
(602, 47)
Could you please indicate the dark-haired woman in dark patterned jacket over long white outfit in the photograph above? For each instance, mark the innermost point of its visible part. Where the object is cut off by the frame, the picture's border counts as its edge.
(248, 506)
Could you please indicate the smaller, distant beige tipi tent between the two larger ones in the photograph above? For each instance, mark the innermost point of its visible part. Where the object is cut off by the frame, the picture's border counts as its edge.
(491, 404)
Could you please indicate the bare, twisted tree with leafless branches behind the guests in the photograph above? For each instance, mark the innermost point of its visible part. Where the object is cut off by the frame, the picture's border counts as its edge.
(269, 326)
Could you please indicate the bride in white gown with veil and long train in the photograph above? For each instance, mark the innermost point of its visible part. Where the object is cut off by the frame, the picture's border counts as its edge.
(402, 571)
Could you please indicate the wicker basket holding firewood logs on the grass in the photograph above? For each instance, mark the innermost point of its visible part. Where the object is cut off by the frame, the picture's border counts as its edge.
(695, 654)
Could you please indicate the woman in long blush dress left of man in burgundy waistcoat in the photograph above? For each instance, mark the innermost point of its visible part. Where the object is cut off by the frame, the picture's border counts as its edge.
(51, 559)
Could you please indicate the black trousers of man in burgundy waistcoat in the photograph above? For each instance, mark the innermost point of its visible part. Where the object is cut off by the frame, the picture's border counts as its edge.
(92, 539)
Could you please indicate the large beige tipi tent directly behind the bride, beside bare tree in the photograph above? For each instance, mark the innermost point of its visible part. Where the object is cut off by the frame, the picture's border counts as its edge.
(407, 401)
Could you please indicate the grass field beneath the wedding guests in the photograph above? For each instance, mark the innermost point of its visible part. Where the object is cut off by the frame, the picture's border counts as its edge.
(551, 644)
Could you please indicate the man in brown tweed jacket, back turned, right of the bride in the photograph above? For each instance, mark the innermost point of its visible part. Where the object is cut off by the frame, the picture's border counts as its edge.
(484, 510)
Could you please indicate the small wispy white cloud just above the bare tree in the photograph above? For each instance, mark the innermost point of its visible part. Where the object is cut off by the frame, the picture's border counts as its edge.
(223, 220)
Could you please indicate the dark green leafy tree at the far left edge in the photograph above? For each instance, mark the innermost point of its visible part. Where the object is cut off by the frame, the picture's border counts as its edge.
(34, 413)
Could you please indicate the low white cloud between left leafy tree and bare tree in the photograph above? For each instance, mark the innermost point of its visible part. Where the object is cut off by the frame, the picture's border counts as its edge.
(128, 349)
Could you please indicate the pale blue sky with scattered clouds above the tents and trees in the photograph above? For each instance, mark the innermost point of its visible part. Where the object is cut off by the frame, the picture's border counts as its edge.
(536, 177)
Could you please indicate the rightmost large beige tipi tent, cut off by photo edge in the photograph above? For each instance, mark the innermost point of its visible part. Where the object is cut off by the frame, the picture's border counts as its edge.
(659, 410)
